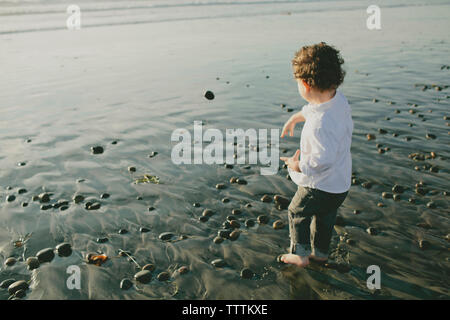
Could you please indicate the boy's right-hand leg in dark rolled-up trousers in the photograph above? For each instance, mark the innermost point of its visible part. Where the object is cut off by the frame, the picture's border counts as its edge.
(323, 223)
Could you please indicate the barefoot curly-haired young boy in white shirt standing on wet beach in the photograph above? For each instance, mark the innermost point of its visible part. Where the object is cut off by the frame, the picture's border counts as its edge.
(323, 172)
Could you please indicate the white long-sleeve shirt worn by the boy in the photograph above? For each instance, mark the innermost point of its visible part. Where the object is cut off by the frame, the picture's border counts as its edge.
(325, 158)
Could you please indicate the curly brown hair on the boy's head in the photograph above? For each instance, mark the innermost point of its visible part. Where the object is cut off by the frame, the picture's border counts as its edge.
(319, 65)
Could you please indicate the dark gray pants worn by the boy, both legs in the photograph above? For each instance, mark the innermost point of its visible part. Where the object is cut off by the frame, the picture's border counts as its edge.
(312, 215)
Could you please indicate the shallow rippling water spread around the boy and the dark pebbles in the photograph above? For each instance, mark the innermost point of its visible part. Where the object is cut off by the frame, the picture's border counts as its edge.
(135, 83)
